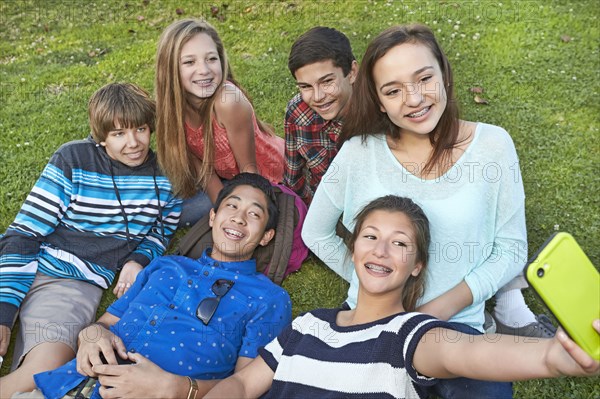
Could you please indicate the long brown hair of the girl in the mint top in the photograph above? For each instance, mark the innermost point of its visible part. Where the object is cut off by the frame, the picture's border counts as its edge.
(364, 117)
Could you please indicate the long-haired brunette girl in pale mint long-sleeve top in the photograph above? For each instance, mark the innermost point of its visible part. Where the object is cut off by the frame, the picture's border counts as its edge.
(403, 136)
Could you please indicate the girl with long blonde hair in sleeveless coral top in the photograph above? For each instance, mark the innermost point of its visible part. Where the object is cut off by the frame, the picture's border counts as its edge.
(206, 129)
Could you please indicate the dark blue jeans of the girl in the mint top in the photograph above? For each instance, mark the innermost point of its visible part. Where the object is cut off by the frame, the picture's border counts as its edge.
(463, 388)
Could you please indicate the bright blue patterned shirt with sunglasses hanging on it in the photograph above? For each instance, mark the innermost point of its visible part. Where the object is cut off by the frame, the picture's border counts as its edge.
(158, 319)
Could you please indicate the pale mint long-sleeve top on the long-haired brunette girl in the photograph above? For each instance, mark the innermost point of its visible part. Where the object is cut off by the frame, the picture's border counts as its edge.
(476, 212)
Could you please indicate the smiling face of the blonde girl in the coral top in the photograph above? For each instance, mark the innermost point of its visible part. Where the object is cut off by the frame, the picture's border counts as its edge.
(200, 68)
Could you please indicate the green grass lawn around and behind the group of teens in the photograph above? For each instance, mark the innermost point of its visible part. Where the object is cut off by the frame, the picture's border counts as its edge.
(536, 61)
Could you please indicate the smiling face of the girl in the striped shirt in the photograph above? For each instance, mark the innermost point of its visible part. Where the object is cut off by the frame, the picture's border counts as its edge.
(384, 254)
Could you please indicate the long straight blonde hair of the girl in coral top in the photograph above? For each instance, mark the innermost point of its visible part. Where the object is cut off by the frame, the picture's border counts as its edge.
(186, 172)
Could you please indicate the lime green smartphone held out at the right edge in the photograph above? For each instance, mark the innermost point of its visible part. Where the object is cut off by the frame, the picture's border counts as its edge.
(565, 279)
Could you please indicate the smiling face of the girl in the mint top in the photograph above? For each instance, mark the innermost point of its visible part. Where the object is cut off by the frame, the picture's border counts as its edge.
(410, 88)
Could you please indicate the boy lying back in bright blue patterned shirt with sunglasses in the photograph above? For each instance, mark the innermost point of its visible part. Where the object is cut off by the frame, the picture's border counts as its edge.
(202, 318)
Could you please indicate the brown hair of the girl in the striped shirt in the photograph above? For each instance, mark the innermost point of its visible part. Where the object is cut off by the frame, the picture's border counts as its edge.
(415, 286)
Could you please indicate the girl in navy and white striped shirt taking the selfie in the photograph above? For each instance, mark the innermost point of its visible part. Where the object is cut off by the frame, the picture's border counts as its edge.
(382, 348)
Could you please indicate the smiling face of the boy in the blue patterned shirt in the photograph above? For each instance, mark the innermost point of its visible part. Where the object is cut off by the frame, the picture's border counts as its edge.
(238, 226)
